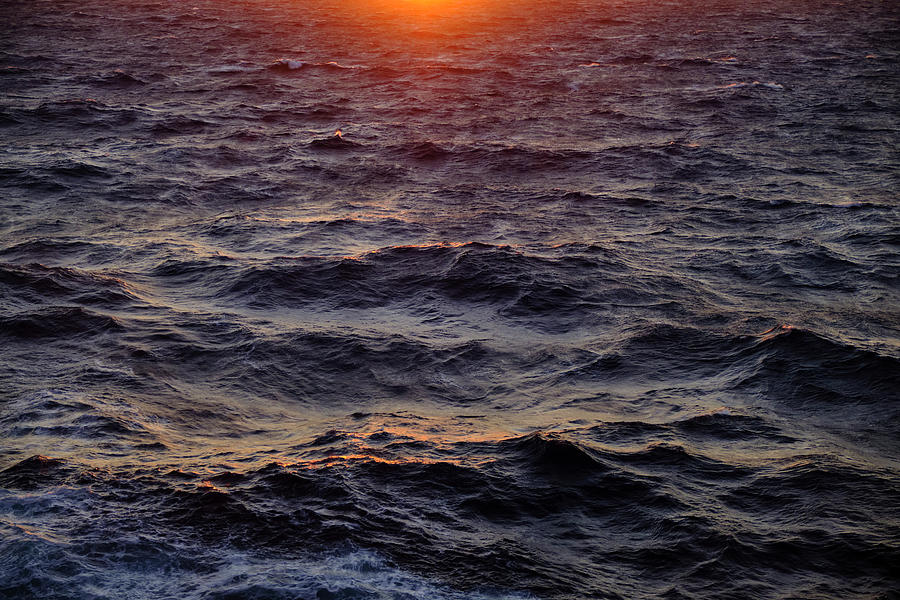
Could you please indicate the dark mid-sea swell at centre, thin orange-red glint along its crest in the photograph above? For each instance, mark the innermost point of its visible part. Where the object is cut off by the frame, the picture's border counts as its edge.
(473, 272)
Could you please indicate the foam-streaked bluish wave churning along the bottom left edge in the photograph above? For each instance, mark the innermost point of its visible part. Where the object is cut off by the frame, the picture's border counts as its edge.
(192, 571)
